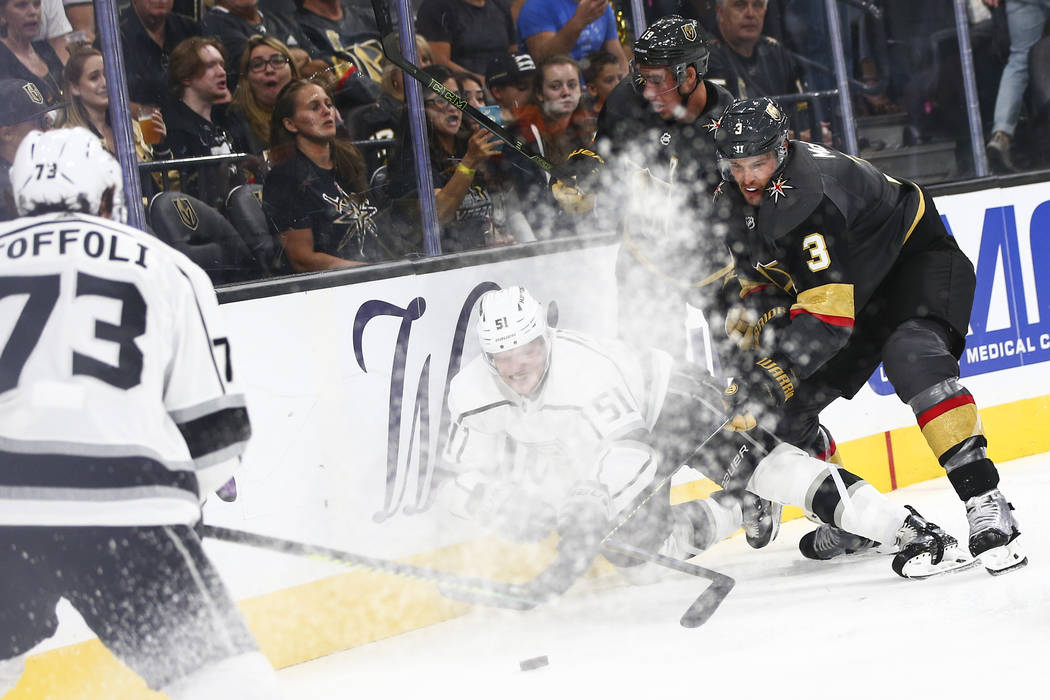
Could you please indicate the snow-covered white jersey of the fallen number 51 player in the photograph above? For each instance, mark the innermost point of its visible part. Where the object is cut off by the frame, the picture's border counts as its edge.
(589, 423)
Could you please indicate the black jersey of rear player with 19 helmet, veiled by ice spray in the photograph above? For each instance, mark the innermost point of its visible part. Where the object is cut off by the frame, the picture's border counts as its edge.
(663, 177)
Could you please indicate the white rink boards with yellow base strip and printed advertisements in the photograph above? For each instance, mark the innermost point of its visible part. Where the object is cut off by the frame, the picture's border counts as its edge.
(347, 387)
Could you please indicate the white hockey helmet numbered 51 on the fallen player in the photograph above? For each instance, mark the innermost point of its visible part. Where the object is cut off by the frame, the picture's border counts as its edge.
(510, 319)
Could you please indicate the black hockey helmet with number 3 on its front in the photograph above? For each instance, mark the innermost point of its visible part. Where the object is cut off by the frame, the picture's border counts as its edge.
(751, 128)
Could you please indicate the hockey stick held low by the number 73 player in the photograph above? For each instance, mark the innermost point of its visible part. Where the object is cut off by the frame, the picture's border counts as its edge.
(464, 589)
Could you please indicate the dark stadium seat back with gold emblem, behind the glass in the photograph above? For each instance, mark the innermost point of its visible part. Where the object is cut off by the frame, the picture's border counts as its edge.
(204, 236)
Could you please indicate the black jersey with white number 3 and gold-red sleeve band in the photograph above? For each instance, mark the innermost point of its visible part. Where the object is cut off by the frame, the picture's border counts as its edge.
(830, 230)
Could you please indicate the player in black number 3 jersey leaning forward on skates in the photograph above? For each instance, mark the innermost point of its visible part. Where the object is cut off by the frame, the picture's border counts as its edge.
(872, 275)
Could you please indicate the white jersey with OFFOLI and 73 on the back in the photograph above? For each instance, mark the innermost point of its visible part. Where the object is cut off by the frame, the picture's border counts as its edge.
(117, 398)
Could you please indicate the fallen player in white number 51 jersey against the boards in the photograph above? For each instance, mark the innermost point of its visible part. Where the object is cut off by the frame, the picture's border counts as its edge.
(557, 431)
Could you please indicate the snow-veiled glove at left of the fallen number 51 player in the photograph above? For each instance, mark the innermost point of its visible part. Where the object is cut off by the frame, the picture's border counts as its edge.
(510, 512)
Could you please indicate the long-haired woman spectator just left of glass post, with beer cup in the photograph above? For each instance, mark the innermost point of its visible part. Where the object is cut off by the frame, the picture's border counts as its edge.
(86, 83)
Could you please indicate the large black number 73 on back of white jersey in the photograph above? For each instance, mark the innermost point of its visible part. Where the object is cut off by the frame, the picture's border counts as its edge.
(44, 294)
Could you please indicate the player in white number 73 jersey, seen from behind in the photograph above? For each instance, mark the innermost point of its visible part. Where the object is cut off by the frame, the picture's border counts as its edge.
(118, 411)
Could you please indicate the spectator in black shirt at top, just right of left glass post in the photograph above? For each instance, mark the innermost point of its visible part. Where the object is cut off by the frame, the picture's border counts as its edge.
(150, 33)
